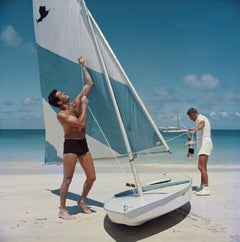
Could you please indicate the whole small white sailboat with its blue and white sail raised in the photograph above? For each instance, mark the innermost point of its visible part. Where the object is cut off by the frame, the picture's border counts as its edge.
(118, 122)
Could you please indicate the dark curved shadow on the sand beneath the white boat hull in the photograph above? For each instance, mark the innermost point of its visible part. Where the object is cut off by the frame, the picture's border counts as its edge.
(126, 233)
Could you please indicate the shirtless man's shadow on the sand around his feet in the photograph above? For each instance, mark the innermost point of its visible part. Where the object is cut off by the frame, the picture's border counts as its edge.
(75, 197)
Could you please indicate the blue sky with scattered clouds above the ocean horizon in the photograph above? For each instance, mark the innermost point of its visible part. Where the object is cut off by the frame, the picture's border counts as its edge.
(177, 53)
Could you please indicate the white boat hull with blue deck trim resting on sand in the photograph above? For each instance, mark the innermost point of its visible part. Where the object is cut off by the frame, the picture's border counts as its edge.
(134, 210)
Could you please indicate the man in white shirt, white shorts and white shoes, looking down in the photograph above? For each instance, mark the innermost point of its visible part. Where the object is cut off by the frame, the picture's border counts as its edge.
(204, 147)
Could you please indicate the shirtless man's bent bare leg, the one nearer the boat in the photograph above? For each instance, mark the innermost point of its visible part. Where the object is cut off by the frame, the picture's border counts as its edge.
(86, 162)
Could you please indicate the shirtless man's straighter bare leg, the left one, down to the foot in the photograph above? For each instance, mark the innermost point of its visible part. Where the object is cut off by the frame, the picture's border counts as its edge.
(69, 163)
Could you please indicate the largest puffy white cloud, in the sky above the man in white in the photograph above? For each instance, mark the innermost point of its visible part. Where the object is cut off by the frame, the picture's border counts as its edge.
(205, 82)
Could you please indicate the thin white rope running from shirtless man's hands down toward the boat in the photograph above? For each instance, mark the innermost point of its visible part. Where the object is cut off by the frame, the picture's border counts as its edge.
(104, 136)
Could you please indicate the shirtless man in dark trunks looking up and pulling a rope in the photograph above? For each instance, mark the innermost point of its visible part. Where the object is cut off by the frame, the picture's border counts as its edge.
(73, 117)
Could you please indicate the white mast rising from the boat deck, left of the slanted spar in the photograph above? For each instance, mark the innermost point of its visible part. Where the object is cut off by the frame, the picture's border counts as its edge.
(115, 105)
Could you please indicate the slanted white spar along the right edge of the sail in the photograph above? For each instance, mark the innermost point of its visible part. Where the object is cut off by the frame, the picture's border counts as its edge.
(134, 92)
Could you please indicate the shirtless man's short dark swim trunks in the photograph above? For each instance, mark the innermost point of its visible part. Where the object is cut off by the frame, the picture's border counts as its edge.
(78, 146)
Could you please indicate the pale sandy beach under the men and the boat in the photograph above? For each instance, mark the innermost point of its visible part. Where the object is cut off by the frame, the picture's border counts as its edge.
(29, 197)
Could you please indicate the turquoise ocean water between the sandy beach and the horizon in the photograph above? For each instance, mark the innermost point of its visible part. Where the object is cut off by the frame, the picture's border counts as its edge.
(29, 146)
